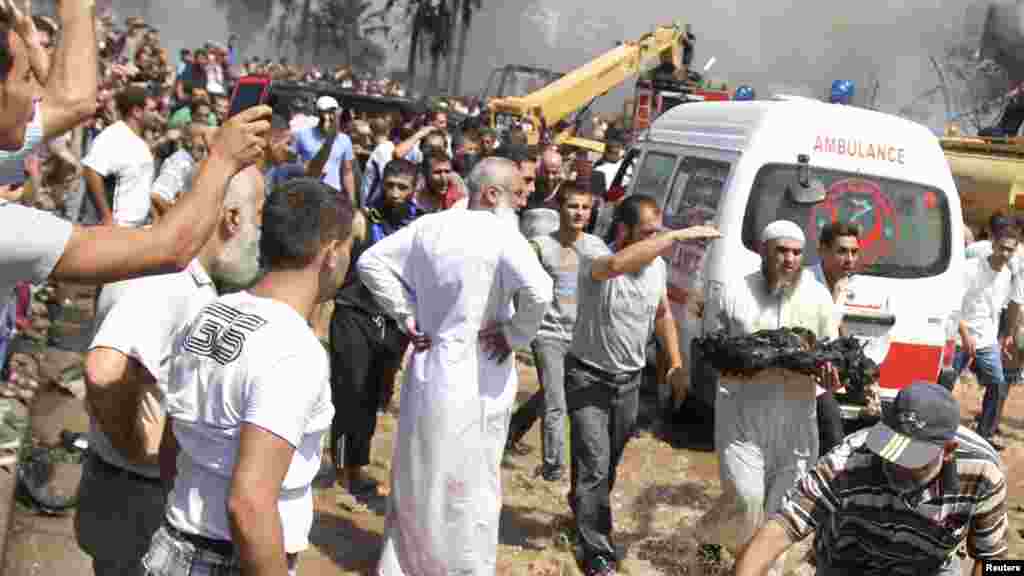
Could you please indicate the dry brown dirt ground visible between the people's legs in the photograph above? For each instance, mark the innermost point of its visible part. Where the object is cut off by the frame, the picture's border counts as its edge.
(662, 491)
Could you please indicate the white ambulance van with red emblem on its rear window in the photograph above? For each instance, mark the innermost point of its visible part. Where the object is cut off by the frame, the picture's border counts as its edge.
(743, 164)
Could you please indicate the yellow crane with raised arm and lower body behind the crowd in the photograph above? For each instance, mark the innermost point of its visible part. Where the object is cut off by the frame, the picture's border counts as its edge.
(545, 111)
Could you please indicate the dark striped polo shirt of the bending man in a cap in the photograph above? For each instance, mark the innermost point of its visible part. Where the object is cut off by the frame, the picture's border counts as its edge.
(864, 526)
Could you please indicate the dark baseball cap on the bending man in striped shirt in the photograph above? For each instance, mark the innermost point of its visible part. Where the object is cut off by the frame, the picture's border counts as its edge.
(915, 431)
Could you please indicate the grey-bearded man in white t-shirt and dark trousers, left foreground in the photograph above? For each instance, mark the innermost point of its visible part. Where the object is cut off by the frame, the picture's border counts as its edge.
(121, 497)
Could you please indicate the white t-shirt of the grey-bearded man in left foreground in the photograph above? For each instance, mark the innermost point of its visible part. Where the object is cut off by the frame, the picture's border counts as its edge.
(167, 303)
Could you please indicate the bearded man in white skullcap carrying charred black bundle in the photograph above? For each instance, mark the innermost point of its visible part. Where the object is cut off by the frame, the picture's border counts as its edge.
(765, 427)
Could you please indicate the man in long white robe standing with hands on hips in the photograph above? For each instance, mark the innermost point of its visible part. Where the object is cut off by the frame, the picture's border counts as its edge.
(450, 279)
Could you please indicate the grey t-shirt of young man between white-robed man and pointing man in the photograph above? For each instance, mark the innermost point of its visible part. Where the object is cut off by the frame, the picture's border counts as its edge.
(564, 267)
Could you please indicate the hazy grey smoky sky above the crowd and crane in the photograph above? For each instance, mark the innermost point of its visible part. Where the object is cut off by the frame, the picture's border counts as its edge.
(794, 47)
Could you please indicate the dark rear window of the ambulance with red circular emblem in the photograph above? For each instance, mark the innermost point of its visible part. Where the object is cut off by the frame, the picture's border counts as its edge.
(906, 227)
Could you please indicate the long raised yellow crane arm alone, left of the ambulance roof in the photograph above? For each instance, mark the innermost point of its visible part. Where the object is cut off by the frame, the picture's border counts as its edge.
(563, 98)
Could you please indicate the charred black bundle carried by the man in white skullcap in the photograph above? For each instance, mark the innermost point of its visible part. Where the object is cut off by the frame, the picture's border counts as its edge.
(792, 349)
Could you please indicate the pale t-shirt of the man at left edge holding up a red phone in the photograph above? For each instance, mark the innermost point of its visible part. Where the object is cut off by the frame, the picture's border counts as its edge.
(32, 242)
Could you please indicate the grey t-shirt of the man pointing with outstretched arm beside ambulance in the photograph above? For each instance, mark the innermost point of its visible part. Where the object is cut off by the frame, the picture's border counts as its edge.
(617, 317)
